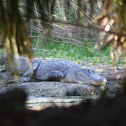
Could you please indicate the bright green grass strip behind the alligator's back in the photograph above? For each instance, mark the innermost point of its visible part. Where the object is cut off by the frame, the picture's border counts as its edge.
(79, 53)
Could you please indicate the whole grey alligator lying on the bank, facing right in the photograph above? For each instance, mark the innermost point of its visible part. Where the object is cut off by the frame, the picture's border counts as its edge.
(57, 70)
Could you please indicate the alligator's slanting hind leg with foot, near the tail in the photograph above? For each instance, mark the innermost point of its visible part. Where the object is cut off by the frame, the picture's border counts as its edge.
(27, 76)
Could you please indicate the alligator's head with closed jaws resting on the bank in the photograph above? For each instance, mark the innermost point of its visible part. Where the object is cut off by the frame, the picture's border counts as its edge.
(85, 75)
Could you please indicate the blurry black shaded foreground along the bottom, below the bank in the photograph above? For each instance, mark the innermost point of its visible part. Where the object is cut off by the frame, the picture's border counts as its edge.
(105, 111)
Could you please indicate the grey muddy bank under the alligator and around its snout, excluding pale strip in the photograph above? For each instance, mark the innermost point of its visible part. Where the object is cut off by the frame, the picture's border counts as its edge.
(60, 89)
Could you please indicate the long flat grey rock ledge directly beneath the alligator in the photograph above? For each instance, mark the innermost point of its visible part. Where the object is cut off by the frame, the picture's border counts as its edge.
(55, 89)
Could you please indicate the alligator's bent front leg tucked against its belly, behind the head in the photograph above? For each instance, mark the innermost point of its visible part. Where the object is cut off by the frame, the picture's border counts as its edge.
(52, 76)
